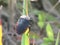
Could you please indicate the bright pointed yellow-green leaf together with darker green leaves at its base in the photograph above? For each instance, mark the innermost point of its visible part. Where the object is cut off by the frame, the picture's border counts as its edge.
(50, 36)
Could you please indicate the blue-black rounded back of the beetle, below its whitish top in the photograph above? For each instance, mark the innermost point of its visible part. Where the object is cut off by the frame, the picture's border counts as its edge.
(22, 25)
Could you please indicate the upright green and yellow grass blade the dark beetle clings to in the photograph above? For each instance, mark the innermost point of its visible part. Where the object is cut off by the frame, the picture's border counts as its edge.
(25, 36)
